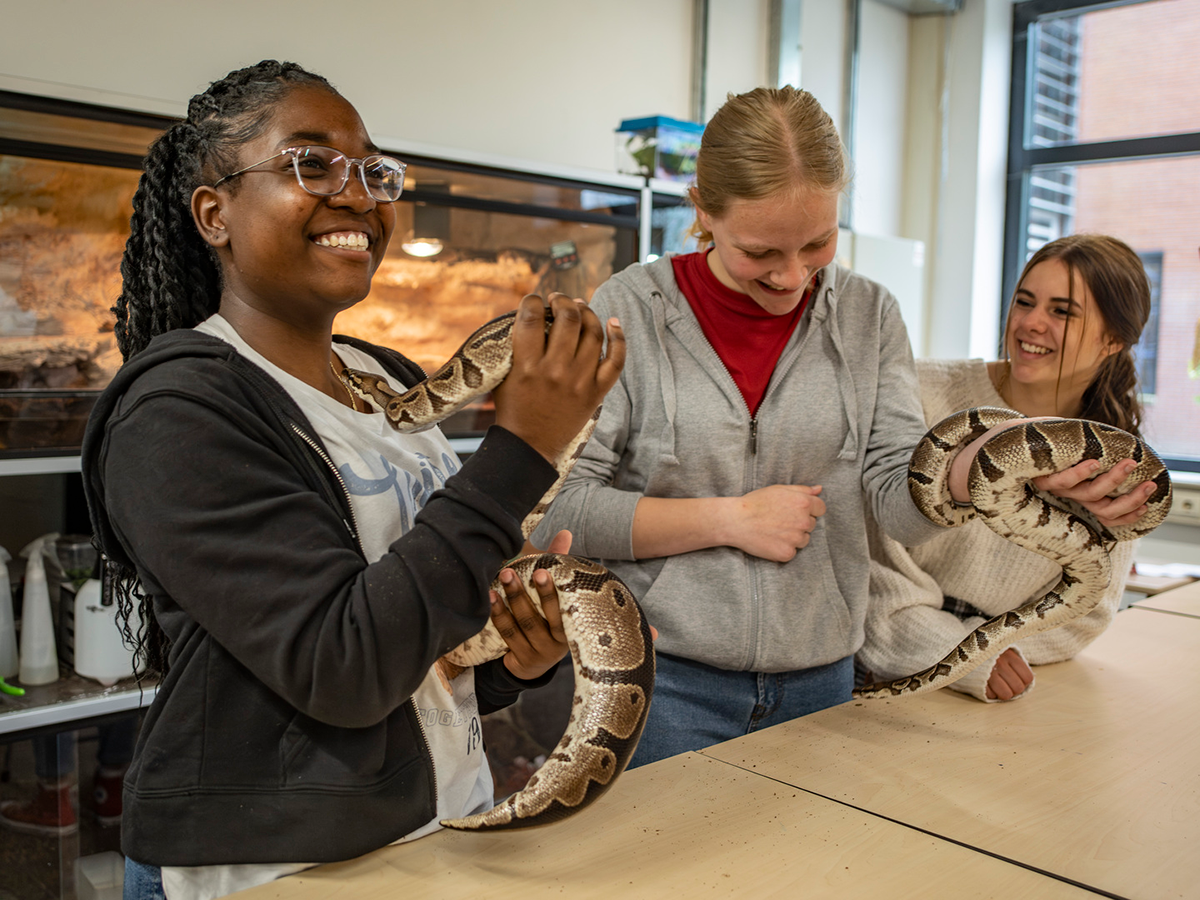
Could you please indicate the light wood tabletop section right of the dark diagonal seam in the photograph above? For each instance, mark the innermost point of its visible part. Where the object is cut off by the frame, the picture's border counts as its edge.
(1094, 777)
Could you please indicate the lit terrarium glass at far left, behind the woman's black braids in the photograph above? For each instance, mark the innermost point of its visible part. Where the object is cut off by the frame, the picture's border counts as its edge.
(63, 230)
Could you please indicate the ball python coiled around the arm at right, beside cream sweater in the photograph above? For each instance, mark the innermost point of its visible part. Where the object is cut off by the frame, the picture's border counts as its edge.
(1004, 496)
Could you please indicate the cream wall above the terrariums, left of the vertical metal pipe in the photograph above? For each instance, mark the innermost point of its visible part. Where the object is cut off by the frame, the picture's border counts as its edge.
(536, 80)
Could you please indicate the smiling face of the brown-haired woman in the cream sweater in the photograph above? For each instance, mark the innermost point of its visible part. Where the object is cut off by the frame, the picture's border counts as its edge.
(1055, 335)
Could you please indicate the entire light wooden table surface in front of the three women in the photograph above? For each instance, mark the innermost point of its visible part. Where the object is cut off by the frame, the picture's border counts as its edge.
(1090, 787)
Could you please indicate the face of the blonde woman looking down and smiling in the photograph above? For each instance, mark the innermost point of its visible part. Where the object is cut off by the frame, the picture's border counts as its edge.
(771, 249)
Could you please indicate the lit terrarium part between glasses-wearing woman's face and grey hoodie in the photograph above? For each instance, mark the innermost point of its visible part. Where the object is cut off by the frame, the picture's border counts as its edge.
(471, 242)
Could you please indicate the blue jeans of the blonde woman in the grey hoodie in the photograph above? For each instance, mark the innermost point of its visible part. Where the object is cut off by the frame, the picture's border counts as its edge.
(697, 706)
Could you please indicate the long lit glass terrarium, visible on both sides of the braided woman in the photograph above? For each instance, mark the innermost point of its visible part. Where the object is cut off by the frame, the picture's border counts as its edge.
(471, 242)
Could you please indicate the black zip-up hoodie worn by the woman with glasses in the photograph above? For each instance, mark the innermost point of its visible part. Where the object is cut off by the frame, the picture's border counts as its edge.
(285, 730)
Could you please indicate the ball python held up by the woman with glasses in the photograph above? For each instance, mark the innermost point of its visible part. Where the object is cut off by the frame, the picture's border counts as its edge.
(609, 638)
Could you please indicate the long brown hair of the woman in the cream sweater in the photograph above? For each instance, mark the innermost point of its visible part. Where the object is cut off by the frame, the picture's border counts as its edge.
(1118, 281)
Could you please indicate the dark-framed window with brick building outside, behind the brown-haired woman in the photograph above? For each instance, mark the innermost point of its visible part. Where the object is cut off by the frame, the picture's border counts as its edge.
(1106, 137)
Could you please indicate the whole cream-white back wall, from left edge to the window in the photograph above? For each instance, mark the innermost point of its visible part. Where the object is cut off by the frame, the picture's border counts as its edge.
(548, 83)
